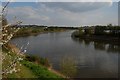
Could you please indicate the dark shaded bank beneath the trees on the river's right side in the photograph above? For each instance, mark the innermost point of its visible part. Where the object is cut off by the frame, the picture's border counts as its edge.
(97, 38)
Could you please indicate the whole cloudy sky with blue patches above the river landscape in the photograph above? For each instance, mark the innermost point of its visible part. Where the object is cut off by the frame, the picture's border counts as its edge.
(64, 13)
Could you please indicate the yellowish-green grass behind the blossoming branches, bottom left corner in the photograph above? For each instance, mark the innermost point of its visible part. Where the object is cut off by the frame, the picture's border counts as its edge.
(24, 71)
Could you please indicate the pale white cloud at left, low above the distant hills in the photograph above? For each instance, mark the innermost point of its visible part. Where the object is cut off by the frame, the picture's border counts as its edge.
(27, 14)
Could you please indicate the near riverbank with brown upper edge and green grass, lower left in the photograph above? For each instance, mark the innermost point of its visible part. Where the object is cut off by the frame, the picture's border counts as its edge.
(25, 68)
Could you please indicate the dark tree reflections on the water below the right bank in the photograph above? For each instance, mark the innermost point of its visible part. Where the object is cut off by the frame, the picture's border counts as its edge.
(100, 45)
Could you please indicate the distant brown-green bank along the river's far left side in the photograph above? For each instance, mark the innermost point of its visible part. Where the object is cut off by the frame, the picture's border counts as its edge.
(28, 31)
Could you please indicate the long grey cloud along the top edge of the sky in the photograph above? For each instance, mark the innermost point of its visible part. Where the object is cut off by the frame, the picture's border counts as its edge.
(77, 6)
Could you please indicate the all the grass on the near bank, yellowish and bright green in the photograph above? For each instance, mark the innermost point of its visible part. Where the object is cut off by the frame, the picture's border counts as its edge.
(27, 69)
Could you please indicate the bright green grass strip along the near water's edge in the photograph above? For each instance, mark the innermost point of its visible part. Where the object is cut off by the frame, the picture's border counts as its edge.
(41, 71)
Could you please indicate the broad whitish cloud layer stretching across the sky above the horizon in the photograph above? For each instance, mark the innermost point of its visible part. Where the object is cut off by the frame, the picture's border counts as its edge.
(61, 15)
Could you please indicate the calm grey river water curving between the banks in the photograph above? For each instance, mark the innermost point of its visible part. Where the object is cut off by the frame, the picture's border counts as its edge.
(94, 59)
